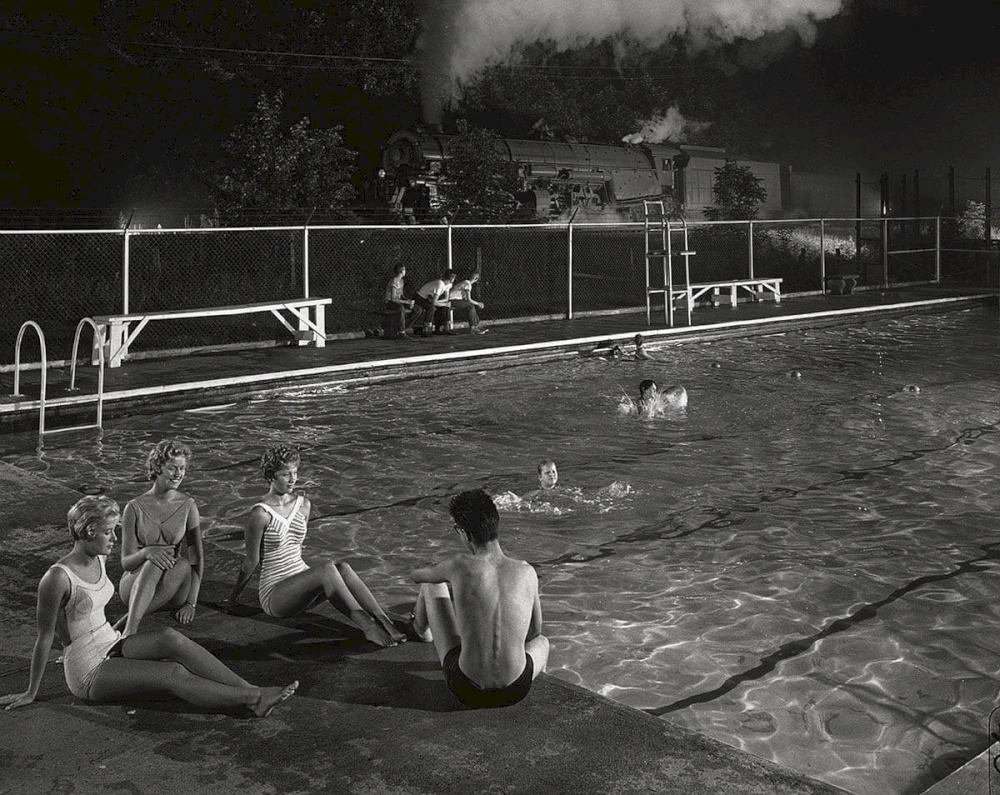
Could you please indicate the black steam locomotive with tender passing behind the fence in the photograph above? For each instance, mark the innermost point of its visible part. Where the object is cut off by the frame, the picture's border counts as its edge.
(560, 178)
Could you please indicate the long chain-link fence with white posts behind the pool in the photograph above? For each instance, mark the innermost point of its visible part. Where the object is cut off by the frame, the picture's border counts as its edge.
(57, 278)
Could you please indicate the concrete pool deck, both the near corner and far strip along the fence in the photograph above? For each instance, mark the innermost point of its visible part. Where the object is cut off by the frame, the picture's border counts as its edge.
(365, 720)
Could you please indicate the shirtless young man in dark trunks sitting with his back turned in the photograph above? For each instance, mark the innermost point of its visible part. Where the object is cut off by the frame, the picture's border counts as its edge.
(488, 634)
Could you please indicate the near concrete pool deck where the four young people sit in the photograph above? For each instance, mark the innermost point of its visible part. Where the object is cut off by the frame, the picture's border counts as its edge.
(365, 720)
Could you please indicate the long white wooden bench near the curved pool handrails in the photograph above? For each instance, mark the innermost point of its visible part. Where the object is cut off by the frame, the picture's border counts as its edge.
(116, 332)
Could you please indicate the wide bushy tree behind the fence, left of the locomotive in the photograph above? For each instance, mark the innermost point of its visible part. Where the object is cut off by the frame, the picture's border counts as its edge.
(268, 170)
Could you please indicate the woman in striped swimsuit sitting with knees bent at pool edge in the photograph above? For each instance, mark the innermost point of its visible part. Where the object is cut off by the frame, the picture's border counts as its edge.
(288, 585)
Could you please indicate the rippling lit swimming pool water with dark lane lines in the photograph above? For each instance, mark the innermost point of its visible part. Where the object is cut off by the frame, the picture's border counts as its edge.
(803, 564)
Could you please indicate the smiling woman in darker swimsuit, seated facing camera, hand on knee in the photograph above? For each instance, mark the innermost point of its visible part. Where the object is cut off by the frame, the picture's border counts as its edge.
(162, 552)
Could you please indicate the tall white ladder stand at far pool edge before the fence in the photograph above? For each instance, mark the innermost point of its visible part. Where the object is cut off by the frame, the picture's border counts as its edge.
(661, 250)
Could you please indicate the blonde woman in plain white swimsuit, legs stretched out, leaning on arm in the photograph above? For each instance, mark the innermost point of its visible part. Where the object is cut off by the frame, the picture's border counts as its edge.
(103, 665)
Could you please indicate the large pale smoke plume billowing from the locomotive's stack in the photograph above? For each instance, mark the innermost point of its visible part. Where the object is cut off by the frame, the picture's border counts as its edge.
(461, 37)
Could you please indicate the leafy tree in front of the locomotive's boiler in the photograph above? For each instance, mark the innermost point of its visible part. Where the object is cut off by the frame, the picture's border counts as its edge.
(479, 183)
